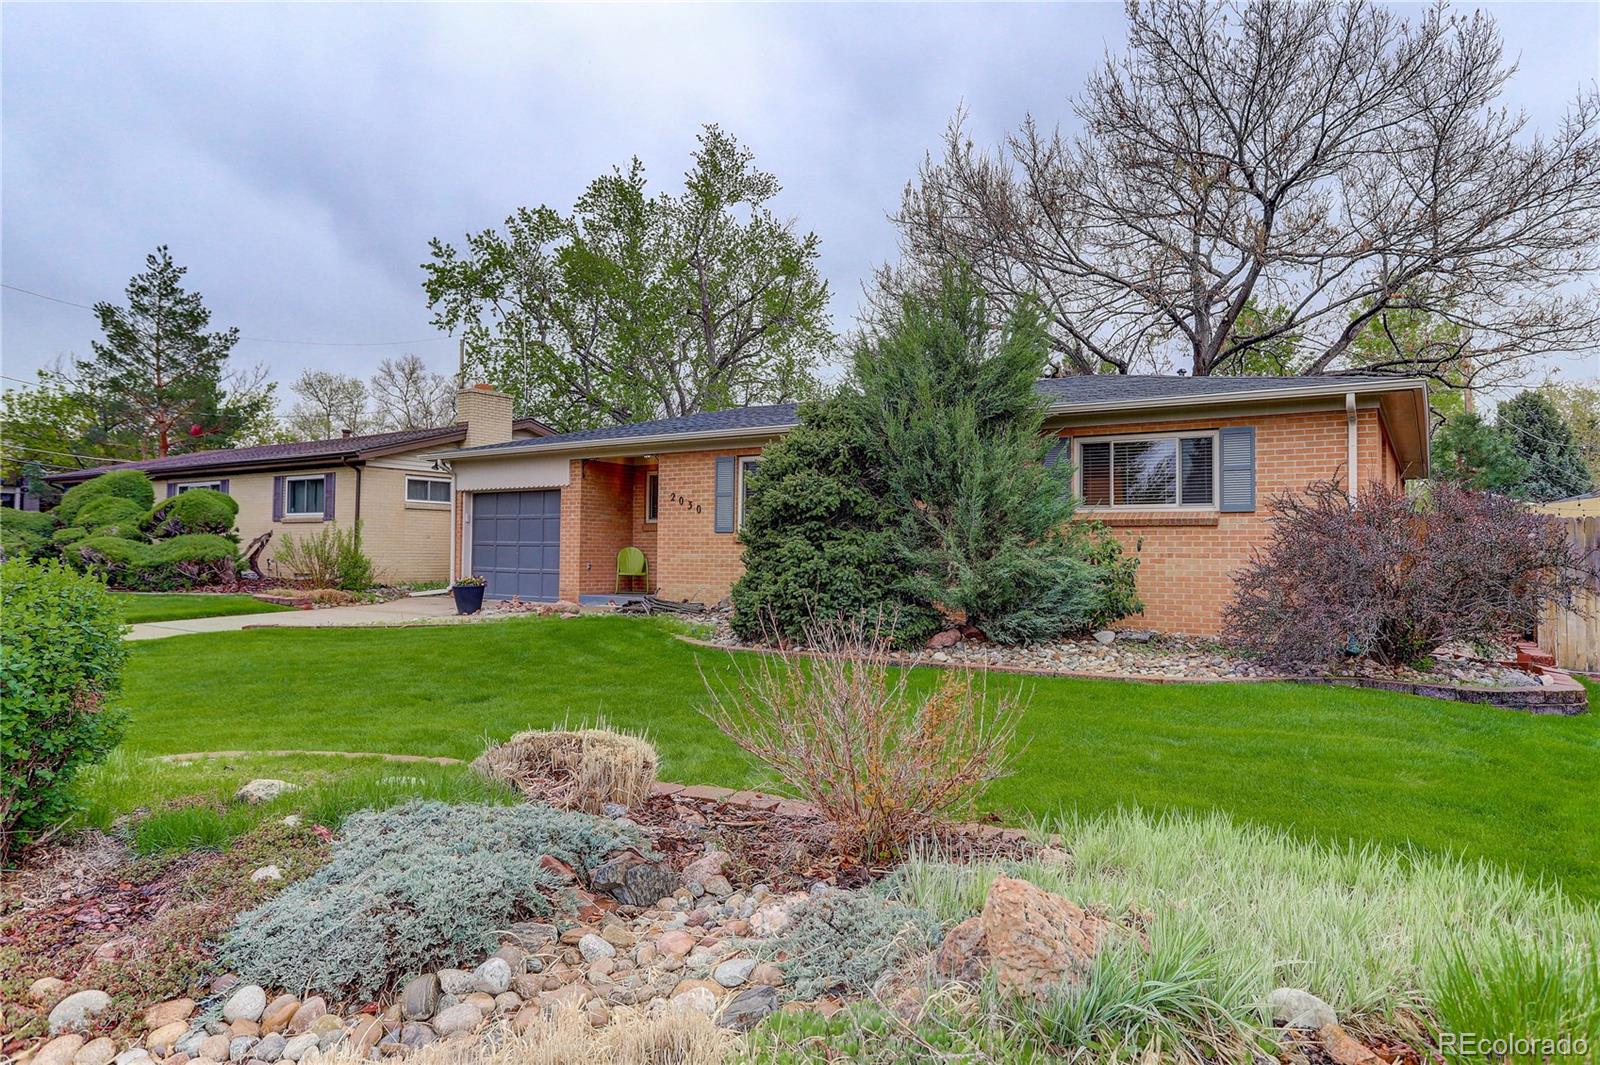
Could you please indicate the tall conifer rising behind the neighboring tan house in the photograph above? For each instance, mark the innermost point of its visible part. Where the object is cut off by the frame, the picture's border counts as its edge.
(161, 375)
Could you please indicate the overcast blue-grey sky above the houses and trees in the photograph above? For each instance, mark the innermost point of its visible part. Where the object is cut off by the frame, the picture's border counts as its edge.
(298, 159)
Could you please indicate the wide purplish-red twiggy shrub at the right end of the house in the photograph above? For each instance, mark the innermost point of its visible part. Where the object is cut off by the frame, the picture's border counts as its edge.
(1396, 578)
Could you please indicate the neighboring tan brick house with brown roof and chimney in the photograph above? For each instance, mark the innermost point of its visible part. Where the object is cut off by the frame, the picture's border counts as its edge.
(401, 498)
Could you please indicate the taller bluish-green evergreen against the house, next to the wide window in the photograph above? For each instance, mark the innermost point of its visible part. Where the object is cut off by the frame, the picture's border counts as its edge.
(985, 522)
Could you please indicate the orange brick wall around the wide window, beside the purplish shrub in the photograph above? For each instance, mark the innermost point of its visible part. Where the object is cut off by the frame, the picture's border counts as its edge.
(1188, 557)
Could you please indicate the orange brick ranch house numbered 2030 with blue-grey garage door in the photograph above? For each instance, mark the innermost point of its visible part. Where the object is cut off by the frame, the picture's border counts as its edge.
(1183, 466)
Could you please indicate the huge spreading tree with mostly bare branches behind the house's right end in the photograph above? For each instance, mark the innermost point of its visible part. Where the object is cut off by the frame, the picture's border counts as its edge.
(1332, 161)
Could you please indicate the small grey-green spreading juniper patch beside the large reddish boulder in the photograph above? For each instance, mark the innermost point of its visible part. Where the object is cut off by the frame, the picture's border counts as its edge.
(844, 941)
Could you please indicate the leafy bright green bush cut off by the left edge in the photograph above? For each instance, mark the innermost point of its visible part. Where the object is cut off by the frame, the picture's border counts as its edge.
(62, 658)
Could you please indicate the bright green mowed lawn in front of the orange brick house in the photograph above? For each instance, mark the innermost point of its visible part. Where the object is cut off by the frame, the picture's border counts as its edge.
(1321, 762)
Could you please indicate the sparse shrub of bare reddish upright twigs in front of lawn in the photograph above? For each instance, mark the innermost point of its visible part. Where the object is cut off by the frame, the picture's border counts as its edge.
(882, 762)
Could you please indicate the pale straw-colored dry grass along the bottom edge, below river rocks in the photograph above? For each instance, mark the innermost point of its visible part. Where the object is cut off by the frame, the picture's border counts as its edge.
(636, 1037)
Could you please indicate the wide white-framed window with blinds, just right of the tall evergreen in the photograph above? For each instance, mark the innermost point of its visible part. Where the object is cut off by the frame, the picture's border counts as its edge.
(1150, 473)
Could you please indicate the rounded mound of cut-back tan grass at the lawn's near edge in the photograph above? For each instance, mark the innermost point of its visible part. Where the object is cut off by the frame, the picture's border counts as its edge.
(575, 770)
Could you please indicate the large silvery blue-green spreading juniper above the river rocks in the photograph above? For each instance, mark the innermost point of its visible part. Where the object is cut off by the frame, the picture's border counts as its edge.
(415, 888)
